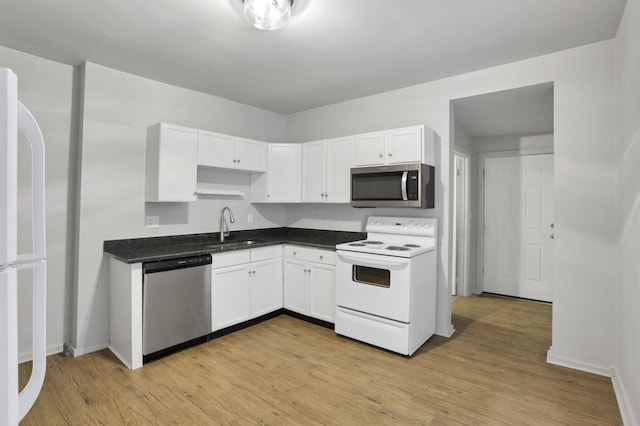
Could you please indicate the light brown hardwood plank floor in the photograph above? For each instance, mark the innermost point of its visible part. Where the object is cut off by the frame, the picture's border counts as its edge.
(286, 371)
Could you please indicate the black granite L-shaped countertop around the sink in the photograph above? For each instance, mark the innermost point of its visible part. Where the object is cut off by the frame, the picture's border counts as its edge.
(161, 248)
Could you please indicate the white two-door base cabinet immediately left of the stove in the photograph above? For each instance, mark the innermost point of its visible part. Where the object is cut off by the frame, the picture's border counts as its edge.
(309, 282)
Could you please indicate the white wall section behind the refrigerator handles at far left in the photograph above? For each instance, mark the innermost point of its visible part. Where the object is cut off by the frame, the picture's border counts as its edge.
(45, 88)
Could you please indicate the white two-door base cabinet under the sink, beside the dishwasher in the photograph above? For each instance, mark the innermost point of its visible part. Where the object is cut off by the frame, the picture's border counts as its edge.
(245, 284)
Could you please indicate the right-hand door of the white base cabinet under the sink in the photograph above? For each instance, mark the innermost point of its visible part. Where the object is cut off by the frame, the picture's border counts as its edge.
(266, 286)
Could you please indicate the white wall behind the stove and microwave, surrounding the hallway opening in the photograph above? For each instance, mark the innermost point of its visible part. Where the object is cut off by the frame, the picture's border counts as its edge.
(583, 314)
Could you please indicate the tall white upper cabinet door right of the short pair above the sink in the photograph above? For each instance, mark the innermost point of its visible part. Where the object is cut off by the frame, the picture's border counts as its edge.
(283, 173)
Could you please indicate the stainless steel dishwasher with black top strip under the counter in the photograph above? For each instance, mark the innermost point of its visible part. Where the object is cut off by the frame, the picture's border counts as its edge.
(176, 304)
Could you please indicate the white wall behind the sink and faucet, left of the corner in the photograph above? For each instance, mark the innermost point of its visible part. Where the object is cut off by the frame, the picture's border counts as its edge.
(117, 109)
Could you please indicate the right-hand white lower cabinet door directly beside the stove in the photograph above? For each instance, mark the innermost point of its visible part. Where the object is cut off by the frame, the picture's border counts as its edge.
(322, 291)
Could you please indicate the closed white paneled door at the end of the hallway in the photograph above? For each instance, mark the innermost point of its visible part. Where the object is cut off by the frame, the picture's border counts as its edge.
(518, 226)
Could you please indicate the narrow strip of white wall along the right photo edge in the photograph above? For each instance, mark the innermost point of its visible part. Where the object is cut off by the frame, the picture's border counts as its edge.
(627, 371)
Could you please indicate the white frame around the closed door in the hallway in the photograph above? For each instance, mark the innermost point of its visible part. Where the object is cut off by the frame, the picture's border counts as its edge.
(481, 157)
